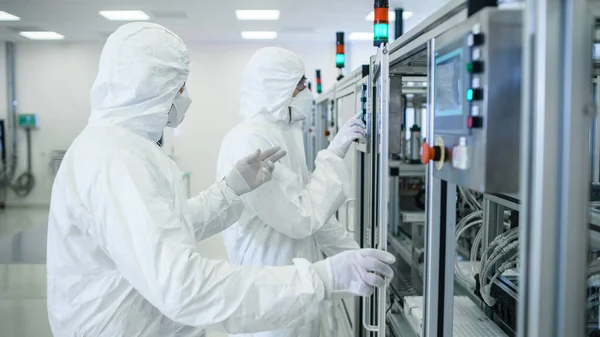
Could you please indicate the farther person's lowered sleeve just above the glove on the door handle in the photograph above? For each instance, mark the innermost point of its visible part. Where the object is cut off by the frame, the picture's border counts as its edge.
(333, 238)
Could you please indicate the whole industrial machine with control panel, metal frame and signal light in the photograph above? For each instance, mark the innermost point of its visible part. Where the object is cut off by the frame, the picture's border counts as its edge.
(494, 236)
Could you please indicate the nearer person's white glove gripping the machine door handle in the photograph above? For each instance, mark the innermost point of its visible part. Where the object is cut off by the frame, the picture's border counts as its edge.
(355, 272)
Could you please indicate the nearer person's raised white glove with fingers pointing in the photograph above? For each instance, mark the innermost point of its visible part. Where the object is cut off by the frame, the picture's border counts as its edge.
(254, 170)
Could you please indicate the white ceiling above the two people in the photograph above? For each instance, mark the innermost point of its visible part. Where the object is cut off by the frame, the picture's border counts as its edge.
(203, 20)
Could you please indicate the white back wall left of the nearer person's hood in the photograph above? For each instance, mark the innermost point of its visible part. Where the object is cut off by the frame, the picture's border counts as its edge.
(52, 80)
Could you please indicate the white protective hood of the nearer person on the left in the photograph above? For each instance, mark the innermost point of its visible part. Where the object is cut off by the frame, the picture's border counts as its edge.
(142, 67)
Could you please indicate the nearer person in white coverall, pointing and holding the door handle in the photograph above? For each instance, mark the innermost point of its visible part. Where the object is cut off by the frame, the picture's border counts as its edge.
(122, 256)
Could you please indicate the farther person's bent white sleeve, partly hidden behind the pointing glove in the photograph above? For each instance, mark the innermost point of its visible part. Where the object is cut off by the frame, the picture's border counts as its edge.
(285, 203)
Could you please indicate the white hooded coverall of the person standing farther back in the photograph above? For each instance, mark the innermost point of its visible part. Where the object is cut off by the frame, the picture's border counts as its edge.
(292, 215)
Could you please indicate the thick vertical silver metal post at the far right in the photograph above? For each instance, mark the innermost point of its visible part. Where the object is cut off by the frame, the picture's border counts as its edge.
(554, 195)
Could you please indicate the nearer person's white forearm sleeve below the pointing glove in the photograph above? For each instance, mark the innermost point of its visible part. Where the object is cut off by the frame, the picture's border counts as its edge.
(214, 210)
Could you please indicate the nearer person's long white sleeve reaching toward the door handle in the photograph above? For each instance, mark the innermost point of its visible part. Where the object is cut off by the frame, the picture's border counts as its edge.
(141, 232)
